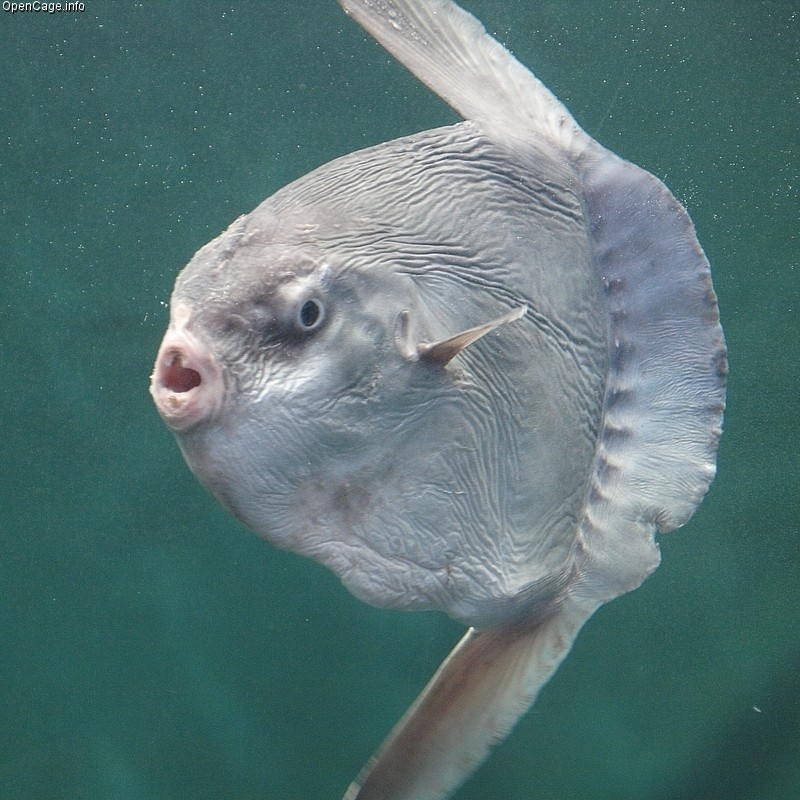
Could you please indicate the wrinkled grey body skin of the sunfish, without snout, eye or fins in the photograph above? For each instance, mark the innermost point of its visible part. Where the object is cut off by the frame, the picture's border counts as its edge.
(420, 485)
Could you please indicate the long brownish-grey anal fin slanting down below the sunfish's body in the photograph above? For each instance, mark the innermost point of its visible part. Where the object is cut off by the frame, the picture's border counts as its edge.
(489, 680)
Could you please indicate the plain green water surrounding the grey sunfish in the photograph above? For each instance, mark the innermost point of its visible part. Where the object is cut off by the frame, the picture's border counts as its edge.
(150, 648)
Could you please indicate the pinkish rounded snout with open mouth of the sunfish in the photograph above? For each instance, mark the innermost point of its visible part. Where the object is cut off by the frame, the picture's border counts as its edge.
(186, 383)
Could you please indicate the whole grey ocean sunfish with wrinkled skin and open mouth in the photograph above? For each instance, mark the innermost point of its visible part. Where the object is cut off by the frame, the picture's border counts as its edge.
(475, 369)
